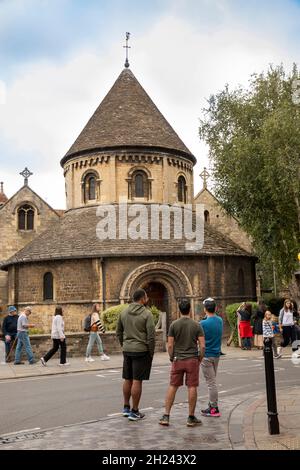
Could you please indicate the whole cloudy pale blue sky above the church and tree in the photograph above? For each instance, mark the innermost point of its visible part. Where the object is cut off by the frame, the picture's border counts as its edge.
(59, 58)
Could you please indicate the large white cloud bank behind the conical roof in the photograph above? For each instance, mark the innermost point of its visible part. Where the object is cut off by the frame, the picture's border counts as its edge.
(47, 104)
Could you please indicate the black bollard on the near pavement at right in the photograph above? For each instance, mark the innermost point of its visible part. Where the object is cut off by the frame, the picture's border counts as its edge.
(273, 422)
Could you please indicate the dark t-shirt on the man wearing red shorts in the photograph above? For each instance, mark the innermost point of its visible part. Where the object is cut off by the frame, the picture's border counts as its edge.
(185, 332)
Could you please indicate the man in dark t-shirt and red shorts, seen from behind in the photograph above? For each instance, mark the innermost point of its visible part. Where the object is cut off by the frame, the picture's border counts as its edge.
(186, 348)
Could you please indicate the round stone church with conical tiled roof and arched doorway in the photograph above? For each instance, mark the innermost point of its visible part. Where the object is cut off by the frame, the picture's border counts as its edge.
(126, 152)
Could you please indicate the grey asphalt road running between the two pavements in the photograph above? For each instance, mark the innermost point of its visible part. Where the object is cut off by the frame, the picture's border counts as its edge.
(46, 402)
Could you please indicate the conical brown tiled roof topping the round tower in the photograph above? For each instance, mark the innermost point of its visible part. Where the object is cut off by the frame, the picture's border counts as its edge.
(127, 118)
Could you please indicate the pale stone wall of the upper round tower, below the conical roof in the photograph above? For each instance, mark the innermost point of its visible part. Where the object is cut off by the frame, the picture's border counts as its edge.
(113, 170)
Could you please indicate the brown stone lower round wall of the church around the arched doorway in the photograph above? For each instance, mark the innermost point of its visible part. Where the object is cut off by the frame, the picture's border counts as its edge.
(215, 276)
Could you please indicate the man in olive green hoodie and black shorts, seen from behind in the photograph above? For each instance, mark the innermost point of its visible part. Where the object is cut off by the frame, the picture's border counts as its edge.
(136, 334)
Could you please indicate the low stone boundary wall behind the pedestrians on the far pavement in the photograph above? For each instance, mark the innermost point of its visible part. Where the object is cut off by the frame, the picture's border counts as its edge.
(77, 344)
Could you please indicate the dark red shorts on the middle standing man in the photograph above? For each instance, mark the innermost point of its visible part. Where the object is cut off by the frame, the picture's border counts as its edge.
(187, 367)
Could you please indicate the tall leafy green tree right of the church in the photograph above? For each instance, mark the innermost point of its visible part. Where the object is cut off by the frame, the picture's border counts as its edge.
(253, 136)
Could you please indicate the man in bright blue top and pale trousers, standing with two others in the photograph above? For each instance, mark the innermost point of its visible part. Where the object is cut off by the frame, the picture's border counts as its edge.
(213, 331)
